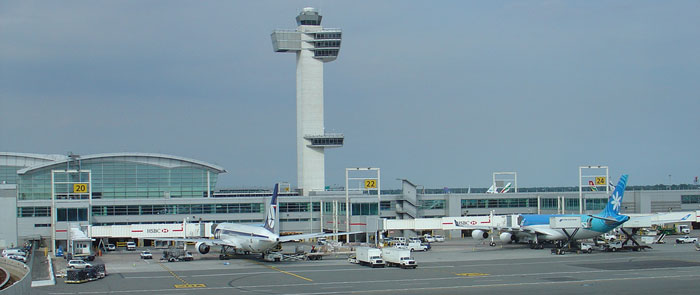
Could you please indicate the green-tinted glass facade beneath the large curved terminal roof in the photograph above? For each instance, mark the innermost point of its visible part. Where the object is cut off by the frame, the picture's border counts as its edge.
(119, 179)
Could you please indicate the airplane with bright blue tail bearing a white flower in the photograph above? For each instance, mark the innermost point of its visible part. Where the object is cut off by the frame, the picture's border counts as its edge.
(537, 227)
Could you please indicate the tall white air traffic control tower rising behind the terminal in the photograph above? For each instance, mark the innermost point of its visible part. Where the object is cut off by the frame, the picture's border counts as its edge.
(313, 46)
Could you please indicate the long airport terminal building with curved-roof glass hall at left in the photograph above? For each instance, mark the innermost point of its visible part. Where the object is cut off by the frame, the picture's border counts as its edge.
(43, 196)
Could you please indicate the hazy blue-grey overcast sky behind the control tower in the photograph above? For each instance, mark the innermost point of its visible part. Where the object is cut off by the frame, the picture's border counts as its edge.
(440, 93)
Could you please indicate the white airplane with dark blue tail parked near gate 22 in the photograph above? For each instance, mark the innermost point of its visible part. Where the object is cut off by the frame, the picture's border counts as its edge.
(249, 238)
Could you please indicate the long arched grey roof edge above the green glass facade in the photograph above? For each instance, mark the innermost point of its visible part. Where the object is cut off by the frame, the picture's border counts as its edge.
(146, 158)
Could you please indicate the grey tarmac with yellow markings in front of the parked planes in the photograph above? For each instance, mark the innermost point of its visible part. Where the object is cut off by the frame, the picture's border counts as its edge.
(456, 266)
